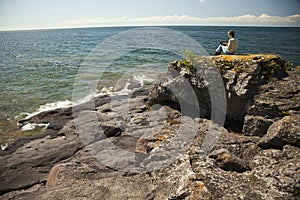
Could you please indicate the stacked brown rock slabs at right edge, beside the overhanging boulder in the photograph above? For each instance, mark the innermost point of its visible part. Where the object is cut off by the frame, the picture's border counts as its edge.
(275, 100)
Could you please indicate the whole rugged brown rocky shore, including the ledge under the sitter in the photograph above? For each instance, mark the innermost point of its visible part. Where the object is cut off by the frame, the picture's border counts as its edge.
(173, 141)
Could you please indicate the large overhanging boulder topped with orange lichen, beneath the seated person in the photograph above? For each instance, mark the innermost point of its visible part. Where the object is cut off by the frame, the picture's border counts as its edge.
(240, 80)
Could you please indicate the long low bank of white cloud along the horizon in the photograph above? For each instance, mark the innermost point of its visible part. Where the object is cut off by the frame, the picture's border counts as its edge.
(244, 20)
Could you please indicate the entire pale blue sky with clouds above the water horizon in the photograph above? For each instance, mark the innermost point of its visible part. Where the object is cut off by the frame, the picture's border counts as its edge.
(44, 14)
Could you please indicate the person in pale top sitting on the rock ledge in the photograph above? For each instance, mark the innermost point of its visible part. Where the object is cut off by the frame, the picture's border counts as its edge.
(229, 47)
